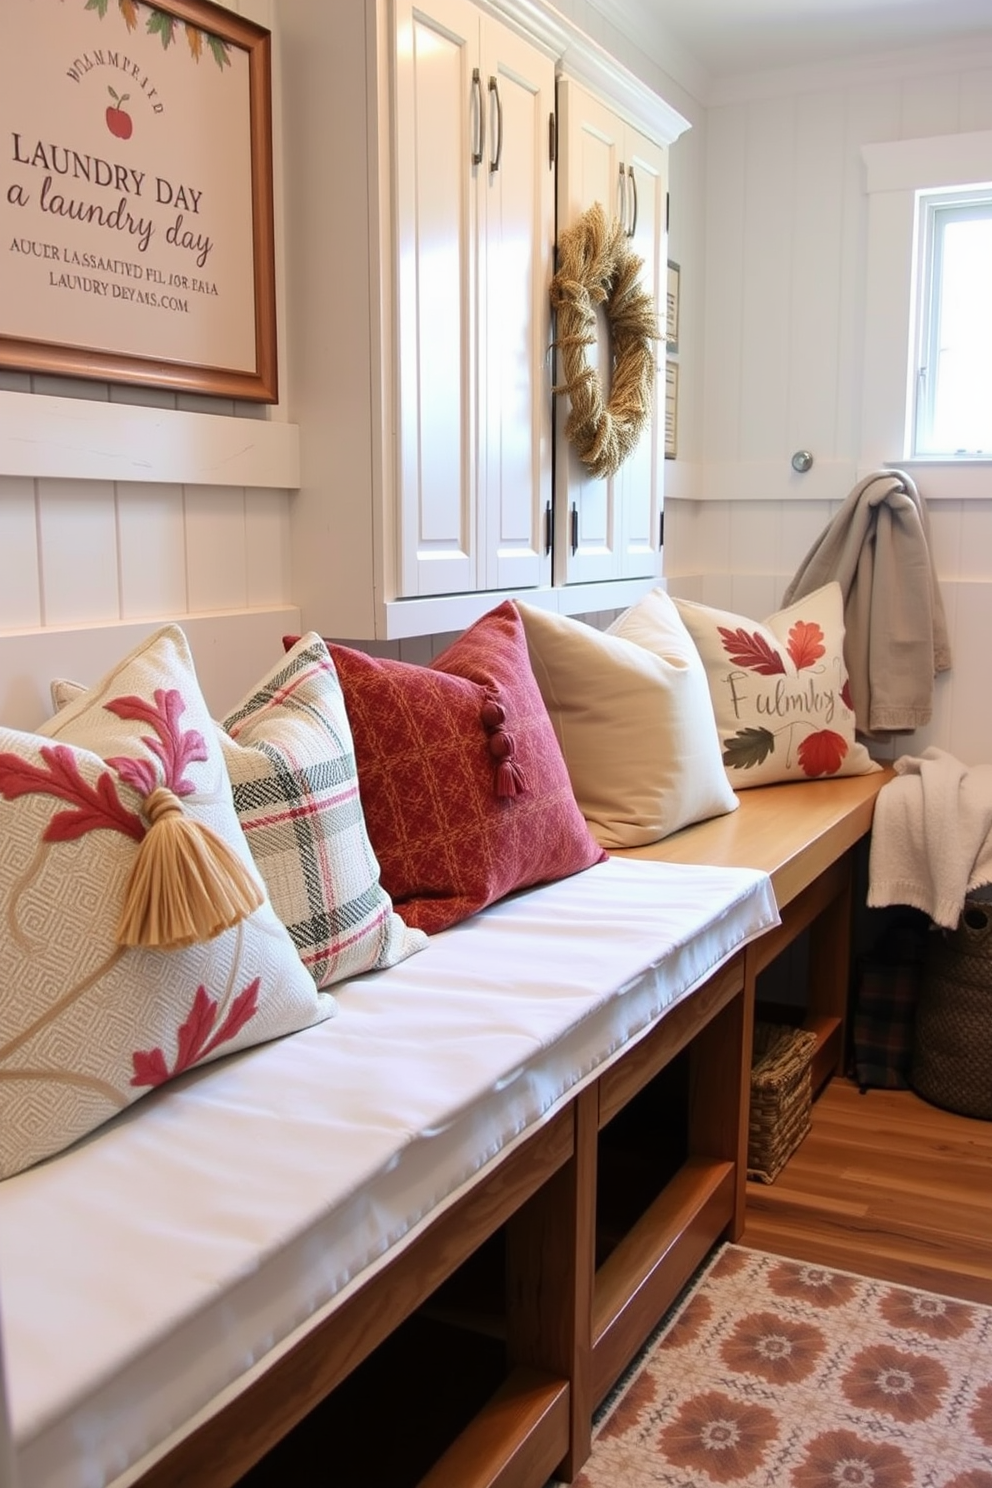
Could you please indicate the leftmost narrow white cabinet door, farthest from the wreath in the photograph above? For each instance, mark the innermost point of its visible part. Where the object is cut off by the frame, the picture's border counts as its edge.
(438, 117)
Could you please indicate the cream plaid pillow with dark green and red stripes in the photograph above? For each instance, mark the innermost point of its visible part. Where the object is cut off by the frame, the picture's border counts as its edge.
(291, 758)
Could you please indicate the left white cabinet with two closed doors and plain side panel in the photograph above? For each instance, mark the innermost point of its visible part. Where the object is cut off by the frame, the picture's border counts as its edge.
(420, 209)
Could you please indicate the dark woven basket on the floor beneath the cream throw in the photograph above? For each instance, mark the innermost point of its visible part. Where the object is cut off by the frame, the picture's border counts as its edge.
(953, 1038)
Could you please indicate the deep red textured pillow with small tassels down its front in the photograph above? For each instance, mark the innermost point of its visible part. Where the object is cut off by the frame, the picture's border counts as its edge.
(465, 788)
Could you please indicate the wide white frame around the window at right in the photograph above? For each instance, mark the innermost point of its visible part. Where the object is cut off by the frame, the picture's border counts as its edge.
(898, 172)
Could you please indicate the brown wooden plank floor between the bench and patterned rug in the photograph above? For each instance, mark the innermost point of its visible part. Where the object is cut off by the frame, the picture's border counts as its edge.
(886, 1185)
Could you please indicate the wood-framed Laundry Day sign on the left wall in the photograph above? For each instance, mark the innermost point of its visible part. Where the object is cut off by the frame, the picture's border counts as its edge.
(136, 196)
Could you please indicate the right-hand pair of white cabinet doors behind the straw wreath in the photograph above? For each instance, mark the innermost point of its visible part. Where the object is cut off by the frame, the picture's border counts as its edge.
(611, 529)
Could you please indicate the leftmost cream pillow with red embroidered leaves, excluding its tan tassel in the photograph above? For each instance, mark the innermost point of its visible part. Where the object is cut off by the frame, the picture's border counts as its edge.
(88, 1026)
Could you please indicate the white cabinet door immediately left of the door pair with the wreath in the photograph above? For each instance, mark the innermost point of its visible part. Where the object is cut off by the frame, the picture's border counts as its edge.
(515, 400)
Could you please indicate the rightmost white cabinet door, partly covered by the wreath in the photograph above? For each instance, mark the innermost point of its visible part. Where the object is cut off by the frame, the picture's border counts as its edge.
(642, 475)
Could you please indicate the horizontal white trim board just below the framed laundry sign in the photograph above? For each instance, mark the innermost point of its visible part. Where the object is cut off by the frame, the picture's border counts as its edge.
(78, 440)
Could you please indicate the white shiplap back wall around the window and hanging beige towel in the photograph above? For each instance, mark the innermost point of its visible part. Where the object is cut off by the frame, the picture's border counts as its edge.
(782, 350)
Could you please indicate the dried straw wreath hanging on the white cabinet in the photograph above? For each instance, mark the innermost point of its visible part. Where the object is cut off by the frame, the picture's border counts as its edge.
(596, 267)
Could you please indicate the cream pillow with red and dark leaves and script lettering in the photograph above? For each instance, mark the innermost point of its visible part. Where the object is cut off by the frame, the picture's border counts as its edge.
(780, 691)
